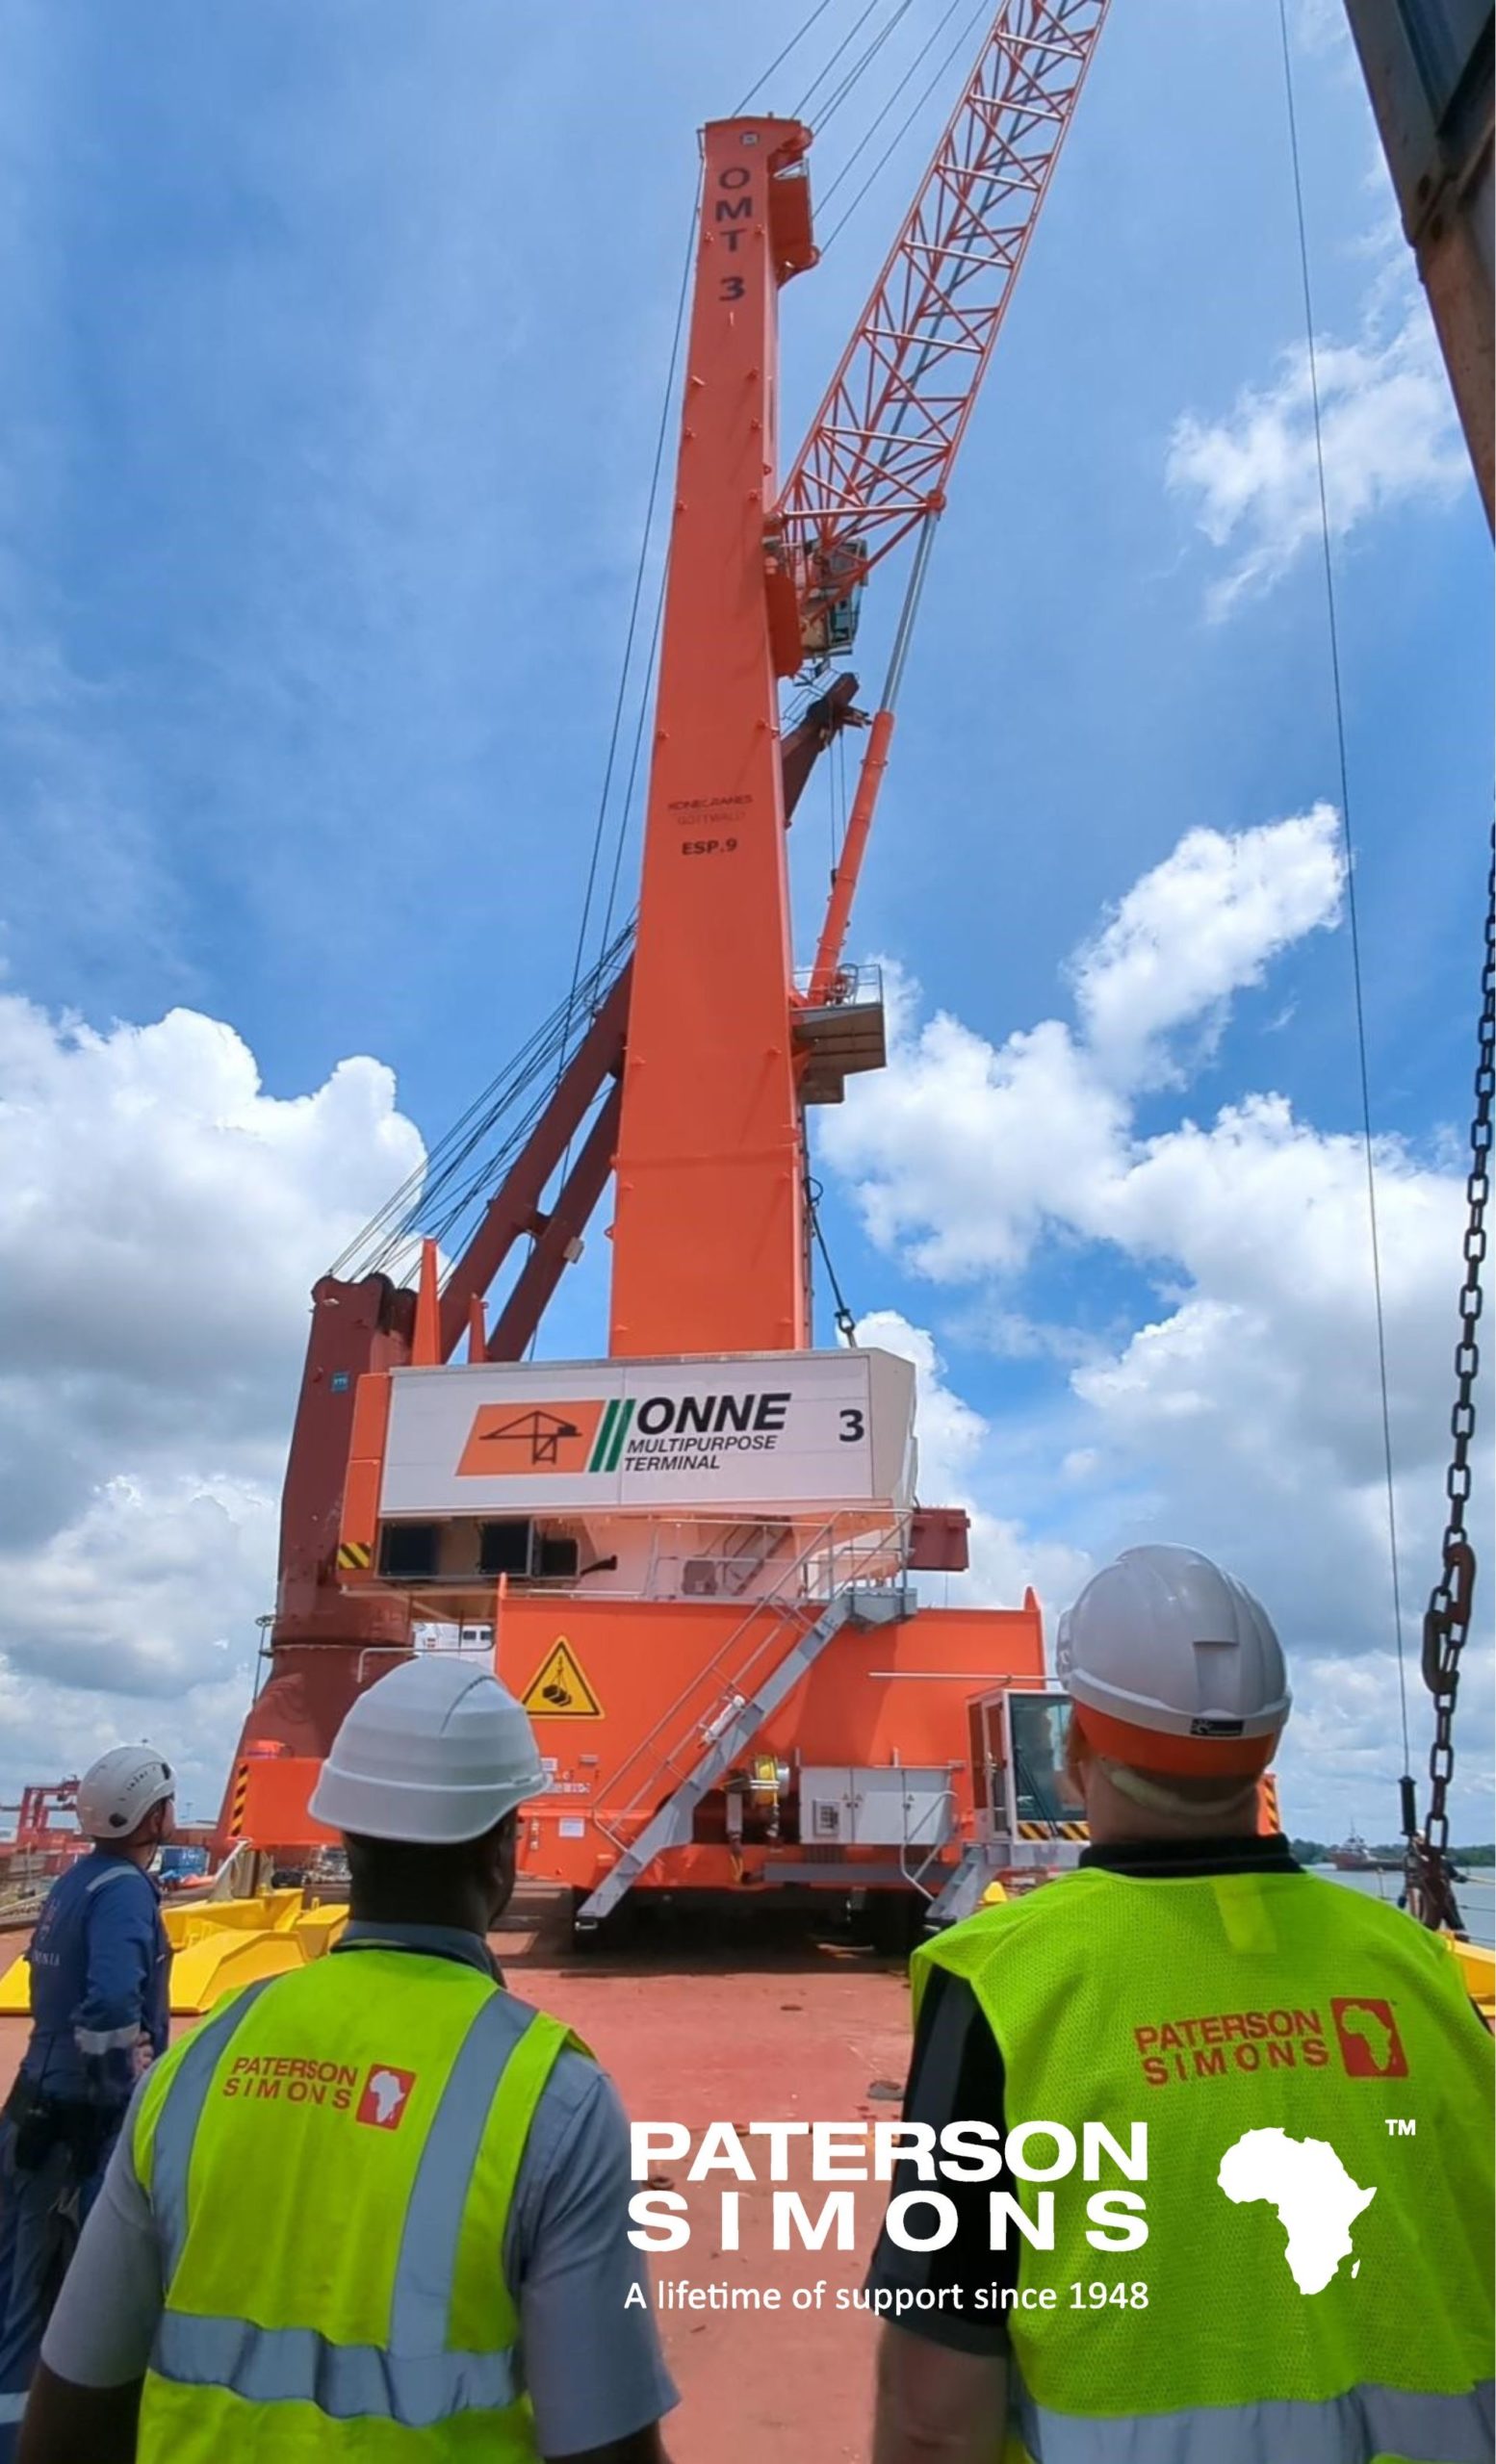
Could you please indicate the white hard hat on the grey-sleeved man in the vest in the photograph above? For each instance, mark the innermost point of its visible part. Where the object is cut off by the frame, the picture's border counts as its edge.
(433, 1753)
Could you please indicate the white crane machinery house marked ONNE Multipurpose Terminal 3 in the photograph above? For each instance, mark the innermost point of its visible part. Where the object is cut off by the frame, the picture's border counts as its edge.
(662, 1480)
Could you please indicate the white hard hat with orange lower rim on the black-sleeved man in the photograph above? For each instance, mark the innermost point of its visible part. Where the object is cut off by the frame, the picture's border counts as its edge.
(1174, 1667)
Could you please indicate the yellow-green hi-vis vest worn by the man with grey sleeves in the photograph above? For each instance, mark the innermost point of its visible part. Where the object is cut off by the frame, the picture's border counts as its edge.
(331, 2162)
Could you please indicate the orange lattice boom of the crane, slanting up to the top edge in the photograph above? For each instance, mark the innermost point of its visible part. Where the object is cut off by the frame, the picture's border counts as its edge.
(884, 442)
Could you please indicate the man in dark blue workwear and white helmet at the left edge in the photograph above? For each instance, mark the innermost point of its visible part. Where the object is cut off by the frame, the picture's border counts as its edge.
(100, 2017)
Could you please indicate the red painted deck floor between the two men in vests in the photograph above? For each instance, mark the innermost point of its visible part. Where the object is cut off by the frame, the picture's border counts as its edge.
(773, 2024)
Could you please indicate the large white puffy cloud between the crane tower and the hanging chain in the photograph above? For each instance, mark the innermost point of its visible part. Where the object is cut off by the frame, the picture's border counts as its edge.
(1238, 1408)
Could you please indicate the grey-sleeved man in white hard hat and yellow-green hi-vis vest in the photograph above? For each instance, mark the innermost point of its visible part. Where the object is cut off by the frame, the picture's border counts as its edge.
(376, 2209)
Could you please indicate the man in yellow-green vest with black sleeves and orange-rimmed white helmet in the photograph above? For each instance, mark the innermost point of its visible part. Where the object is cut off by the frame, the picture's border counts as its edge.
(1243, 2115)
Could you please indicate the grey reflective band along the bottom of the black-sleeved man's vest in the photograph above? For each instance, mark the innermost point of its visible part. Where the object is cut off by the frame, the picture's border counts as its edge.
(1359, 2426)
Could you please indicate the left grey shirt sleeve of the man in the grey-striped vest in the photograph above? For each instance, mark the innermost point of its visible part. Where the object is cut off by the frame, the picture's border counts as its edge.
(112, 2295)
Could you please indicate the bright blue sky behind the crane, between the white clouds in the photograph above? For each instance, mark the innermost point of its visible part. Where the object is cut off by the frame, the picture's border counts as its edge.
(336, 359)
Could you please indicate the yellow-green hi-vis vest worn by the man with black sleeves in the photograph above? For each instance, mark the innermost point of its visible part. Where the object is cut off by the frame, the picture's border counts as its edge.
(1268, 2029)
